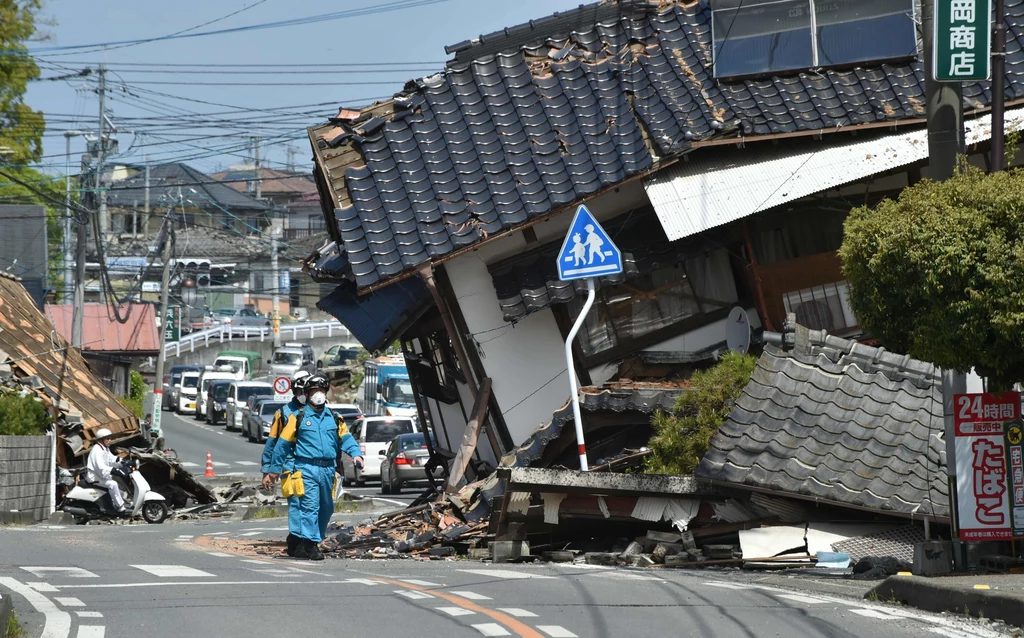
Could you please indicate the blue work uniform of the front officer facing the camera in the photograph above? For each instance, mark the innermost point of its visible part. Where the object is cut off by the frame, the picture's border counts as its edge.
(316, 442)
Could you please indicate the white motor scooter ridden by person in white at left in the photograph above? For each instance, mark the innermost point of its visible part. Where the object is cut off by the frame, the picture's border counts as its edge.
(88, 501)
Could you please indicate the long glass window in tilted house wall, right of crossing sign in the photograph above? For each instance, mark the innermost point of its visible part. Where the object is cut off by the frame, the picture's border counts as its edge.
(667, 295)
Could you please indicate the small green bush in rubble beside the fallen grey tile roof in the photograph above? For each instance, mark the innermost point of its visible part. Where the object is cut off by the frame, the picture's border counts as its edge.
(684, 438)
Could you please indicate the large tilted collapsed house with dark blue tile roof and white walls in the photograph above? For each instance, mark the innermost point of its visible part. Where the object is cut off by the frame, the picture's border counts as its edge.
(446, 205)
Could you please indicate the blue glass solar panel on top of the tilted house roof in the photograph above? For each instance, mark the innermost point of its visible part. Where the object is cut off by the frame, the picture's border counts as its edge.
(753, 37)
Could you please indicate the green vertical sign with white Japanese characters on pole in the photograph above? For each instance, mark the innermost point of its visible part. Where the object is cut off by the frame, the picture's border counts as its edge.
(963, 45)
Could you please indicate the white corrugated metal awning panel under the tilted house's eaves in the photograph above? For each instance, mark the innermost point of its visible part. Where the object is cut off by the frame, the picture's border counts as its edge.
(711, 191)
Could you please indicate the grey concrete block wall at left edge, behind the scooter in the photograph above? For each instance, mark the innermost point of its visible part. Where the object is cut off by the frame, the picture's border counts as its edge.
(25, 478)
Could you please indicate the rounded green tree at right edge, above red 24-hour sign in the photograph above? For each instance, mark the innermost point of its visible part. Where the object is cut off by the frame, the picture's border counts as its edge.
(940, 273)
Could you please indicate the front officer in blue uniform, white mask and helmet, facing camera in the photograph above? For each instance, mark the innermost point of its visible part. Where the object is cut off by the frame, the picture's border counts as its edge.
(316, 438)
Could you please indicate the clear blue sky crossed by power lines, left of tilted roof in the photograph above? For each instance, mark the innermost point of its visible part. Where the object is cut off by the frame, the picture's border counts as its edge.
(271, 83)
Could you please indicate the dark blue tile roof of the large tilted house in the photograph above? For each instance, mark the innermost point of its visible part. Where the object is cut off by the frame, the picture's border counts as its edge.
(529, 121)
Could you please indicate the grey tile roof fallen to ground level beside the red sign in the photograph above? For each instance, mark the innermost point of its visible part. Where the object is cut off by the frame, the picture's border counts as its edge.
(837, 421)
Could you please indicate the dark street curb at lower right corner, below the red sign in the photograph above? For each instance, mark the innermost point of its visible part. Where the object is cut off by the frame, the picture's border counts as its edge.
(931, 594)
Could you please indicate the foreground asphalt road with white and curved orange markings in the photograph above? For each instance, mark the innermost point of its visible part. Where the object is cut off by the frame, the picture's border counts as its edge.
(194, 579)
